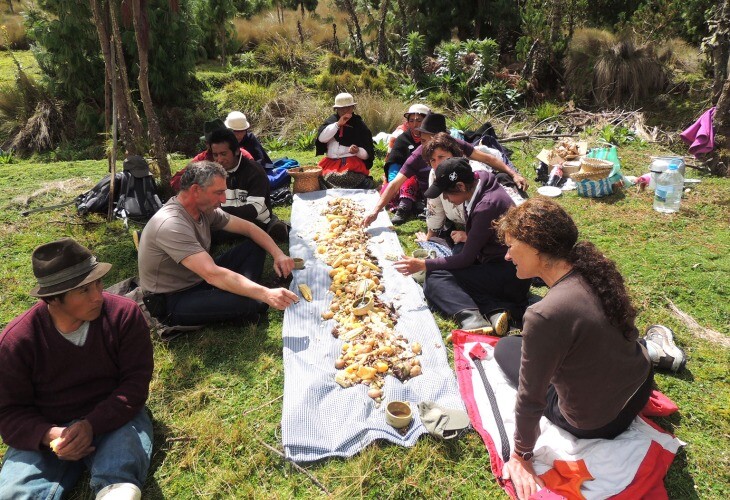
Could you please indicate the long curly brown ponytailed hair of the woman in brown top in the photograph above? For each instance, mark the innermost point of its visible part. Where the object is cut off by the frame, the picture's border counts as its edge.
(545, 226)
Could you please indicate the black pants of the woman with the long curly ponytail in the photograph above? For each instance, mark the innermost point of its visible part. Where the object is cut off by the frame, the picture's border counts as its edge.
(508, 354)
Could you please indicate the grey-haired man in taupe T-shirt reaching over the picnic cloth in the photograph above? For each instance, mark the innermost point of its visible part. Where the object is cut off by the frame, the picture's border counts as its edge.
(183, 284)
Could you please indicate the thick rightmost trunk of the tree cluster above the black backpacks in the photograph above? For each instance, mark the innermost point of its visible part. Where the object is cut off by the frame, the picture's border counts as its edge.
(142, 36)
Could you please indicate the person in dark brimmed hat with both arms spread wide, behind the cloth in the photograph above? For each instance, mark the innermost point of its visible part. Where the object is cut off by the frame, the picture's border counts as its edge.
(417, 166)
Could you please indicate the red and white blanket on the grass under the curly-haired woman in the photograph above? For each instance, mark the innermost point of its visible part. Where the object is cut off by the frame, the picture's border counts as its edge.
(631, 466)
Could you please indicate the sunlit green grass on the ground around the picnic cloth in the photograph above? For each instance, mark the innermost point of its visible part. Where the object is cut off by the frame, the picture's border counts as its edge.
(216, 392)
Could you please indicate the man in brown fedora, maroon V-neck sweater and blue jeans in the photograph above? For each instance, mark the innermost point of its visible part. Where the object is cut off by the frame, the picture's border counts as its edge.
(76, 373)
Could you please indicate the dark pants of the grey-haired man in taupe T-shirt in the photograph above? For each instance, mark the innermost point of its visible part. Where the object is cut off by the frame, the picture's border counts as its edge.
(204, 303)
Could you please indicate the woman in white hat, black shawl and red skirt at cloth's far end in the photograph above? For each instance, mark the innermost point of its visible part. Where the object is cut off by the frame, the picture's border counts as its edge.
(348, 145)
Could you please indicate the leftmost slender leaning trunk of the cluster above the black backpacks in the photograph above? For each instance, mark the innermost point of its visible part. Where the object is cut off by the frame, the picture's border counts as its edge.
(130, 127)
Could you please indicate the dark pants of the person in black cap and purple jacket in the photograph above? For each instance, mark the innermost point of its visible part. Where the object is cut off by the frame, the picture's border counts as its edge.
(487, 286)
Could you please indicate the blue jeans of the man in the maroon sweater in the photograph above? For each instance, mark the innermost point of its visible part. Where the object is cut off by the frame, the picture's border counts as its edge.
(121, 456)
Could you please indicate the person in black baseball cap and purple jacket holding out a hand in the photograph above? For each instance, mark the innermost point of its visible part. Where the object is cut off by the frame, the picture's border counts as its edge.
(478, 279)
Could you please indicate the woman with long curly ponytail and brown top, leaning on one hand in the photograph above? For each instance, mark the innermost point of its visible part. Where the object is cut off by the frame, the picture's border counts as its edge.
(578, 362)
